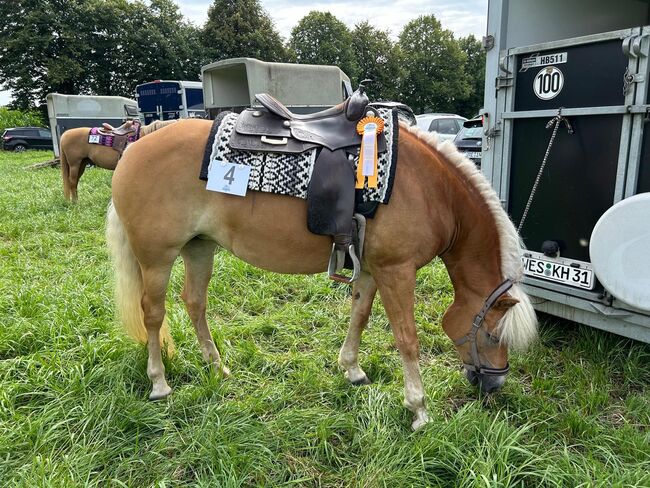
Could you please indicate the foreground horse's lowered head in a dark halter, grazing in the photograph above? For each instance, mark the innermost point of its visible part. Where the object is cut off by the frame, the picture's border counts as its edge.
(482, 333)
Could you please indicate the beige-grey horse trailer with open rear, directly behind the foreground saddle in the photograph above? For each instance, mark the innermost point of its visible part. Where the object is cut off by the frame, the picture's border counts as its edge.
(231, 84)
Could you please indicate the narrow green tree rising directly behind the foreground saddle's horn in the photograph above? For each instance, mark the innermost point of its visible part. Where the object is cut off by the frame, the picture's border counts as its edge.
(378, 60)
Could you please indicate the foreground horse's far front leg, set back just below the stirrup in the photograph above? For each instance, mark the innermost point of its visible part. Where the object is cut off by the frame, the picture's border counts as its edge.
(363, 294)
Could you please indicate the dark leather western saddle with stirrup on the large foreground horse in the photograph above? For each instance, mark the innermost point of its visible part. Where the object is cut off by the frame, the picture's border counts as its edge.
(333, 133)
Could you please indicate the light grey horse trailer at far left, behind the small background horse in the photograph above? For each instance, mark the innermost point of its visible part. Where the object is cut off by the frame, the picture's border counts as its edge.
(71, 111)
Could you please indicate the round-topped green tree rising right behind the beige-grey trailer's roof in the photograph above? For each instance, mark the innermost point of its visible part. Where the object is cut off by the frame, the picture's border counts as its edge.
(321, 38)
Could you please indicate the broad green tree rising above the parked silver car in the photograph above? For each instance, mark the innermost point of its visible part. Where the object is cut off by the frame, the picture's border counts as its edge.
(434, 79)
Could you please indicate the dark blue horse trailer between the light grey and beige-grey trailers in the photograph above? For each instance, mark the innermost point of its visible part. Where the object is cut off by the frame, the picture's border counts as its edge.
(167, 100)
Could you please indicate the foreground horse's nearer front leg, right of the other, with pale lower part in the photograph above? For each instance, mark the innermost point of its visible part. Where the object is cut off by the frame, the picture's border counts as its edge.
(397, 289)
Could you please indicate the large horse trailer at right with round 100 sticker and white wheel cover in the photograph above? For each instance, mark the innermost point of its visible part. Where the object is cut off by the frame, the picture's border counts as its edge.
(581, 66)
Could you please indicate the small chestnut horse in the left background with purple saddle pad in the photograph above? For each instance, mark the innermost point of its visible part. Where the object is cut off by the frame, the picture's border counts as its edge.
(77, 152)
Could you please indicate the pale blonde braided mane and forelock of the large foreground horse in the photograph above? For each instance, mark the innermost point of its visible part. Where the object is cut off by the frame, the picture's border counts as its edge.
(518, 327)
